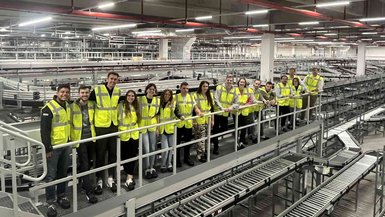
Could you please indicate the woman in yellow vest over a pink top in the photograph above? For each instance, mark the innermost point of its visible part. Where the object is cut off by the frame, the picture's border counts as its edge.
(245, 97)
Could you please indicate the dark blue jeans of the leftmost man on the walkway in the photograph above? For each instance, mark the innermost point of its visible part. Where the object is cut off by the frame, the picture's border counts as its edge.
(57, 166)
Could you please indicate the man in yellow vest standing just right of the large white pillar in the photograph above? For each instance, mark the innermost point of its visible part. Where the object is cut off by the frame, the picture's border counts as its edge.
(283, 91)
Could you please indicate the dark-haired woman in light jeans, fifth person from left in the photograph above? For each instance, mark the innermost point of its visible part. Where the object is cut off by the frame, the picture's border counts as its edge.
(149, 106)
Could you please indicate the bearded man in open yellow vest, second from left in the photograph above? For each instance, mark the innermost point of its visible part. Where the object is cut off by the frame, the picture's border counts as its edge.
(82, 127)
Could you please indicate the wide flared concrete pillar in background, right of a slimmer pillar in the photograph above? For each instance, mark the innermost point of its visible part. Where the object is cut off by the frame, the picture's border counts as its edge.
(181, 48)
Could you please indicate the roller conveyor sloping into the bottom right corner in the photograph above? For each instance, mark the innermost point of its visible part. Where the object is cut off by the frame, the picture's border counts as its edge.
(324, 196)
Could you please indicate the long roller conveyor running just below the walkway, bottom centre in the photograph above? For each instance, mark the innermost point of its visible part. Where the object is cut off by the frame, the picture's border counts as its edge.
(226, 193)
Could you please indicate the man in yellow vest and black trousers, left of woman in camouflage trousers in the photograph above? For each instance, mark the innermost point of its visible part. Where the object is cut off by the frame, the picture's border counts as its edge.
(185, 105)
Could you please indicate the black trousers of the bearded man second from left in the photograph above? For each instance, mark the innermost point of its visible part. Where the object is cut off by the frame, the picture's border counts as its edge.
(86, 152)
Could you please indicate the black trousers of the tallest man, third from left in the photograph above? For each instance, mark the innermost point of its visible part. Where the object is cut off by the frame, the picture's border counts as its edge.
(106, 146)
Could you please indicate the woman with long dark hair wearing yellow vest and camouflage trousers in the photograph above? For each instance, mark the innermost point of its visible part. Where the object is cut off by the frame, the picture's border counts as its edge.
(205, 103)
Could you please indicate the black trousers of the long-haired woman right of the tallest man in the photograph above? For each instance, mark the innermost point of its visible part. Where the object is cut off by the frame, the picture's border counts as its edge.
(129, 149)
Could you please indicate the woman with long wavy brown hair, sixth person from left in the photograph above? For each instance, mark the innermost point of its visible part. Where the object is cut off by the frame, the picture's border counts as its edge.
(167, 113)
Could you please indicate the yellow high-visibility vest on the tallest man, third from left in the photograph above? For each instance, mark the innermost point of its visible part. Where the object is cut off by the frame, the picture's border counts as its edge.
(106, 106)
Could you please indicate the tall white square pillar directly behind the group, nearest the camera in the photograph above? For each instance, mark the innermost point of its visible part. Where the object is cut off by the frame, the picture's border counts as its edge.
(267, 57)
